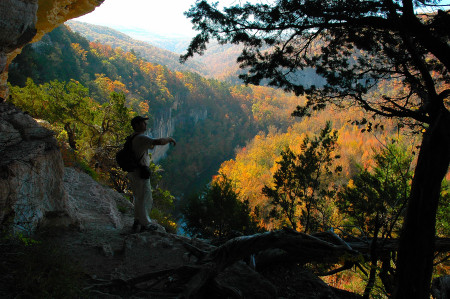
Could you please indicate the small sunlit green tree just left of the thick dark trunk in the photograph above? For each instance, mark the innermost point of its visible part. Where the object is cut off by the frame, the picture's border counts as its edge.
(373, 204)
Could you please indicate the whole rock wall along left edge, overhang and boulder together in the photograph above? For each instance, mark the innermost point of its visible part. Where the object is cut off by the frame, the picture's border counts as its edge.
(31, 167)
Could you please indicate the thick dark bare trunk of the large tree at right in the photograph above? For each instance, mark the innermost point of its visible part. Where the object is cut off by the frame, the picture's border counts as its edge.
(416, 248)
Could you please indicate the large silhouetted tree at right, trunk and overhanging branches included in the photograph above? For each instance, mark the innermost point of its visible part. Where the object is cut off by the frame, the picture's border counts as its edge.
(355, 46)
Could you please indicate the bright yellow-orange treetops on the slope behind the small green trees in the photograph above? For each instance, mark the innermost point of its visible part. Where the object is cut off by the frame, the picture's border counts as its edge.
(254, 165)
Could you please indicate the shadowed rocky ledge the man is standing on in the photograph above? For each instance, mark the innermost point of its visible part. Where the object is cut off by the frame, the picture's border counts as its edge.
(121, 264)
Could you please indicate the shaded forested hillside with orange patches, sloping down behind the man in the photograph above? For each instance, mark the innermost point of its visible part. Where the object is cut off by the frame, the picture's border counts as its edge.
(212, 118)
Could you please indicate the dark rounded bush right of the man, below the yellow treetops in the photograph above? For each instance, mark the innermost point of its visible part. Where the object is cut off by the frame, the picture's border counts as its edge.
(218, 212)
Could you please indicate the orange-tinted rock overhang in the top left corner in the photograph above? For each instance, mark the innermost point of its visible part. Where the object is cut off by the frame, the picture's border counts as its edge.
(24, 21)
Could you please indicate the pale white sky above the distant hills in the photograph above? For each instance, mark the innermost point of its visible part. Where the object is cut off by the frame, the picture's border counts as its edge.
(162, 17)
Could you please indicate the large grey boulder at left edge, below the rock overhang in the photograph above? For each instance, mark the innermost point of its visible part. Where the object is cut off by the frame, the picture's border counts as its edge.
(31, 171)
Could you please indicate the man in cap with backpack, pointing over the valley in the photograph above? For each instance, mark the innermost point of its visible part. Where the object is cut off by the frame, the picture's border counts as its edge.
(140, 178)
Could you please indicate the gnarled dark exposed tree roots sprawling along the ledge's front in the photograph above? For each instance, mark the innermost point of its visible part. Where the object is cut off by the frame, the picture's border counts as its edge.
(194, 280)
